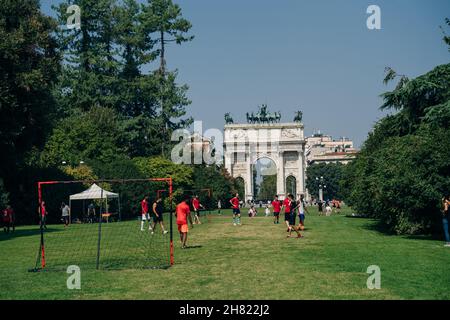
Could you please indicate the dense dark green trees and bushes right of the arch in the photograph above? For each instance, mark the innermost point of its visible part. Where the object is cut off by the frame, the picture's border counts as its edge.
(403, 169)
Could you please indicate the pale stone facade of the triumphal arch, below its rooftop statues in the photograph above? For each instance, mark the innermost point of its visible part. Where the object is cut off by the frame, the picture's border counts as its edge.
(283, 143)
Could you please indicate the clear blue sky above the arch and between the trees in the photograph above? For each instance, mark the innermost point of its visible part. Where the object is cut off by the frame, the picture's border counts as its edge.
(317, 56)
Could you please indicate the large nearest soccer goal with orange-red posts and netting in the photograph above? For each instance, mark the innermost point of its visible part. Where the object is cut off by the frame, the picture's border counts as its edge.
(100, 224)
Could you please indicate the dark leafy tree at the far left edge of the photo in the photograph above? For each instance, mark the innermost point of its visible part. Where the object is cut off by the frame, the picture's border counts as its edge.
(29, 65)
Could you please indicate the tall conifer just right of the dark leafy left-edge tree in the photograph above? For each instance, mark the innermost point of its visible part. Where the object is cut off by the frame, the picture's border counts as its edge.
(91, 67)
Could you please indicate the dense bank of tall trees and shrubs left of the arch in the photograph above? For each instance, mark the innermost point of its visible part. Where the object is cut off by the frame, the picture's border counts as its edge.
(101, 95)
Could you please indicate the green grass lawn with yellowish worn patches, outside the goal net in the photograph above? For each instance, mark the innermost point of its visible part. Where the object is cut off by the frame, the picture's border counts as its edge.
(252, 261)
